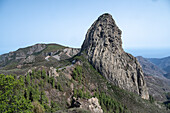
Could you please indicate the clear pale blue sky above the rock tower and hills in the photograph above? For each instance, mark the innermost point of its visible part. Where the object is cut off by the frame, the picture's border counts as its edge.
(145, 24)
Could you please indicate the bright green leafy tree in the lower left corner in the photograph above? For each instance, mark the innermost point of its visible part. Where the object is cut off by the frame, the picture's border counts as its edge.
(12, 95)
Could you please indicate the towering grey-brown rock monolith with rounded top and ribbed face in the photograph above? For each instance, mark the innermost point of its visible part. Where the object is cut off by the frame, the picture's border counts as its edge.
(103, 46)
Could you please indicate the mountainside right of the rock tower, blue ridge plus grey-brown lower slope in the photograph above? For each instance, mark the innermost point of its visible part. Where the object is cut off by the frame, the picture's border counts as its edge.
(157, 84)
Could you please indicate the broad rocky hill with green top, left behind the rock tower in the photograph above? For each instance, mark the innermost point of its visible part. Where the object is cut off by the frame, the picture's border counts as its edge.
(37, 54)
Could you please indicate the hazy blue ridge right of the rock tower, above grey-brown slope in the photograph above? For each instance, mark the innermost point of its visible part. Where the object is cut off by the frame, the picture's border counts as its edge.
(150, 68)
